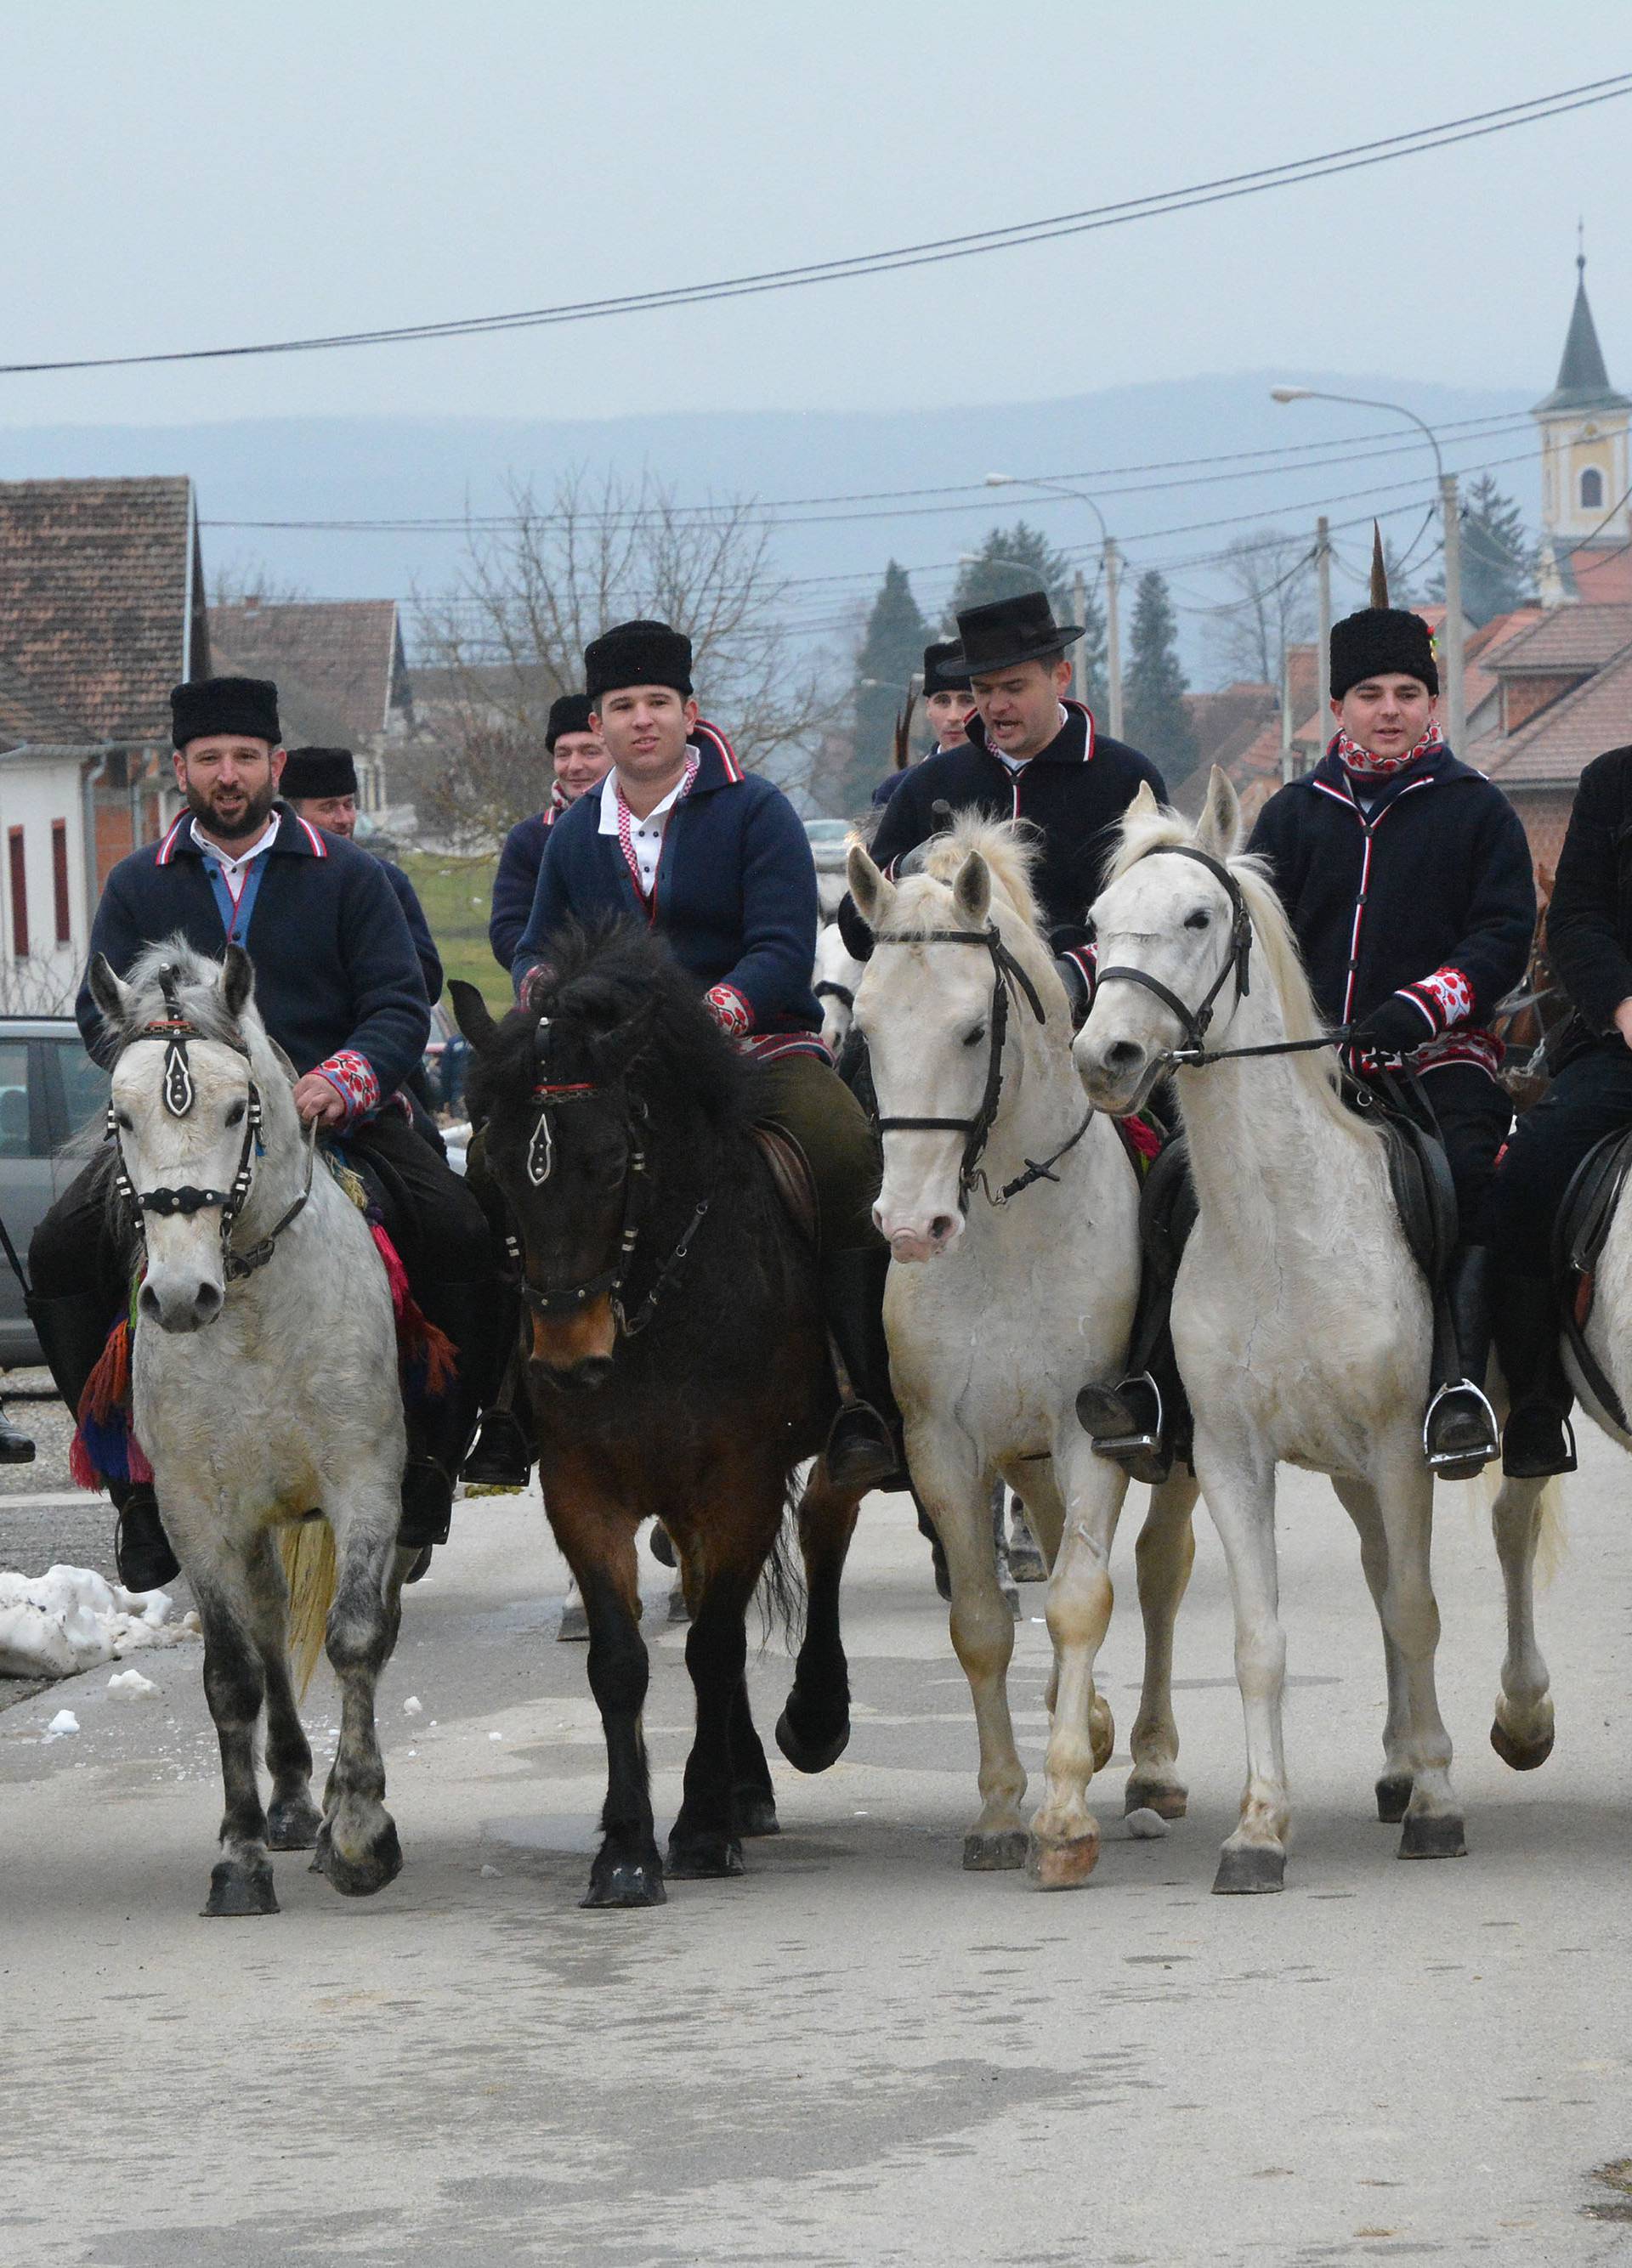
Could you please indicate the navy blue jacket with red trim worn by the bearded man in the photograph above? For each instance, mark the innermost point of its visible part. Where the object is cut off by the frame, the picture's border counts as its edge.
(335, 970)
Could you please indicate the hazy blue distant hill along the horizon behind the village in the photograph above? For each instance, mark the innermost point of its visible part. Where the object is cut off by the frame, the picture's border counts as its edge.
(394, 468)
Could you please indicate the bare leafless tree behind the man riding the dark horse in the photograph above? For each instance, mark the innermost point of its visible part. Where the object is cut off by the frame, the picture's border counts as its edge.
(548, 579)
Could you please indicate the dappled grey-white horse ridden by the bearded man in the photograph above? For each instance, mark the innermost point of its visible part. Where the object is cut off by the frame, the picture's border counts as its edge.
(292, 1405)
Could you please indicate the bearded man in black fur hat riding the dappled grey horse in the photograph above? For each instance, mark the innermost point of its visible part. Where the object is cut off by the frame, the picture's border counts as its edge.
(342, 992)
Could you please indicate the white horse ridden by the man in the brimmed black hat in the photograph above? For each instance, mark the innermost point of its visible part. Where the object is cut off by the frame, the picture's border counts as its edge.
(1023, 1301)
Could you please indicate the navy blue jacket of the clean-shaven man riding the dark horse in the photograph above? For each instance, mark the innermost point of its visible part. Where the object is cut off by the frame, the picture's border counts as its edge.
(737, 892)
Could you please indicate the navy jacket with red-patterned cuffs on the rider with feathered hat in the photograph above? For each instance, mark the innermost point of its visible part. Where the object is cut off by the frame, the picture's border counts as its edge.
(1431, 895)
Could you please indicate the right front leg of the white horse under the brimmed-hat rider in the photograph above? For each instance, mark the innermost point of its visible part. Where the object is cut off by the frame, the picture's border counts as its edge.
(1063, 1831)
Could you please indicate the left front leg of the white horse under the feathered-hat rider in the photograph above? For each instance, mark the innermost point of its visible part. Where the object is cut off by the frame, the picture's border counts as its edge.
(1243, 1505)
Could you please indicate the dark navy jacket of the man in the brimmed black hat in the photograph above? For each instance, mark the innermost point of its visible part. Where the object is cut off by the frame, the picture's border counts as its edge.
(1075, 793)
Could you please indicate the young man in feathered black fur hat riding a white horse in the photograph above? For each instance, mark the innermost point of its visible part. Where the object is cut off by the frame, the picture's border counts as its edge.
(1406, 879)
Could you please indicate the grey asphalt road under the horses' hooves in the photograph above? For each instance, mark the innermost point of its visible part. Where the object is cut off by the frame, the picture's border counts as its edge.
(857, 2054)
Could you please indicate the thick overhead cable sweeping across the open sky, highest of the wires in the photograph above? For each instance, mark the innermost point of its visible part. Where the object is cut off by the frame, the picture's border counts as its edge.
(1227, 189)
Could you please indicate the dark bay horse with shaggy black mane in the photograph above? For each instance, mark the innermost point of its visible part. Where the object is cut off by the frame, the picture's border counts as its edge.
(678, 1369)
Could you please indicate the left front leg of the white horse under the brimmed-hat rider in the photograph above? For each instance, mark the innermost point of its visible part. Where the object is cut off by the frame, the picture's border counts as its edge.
(957, 1493)
